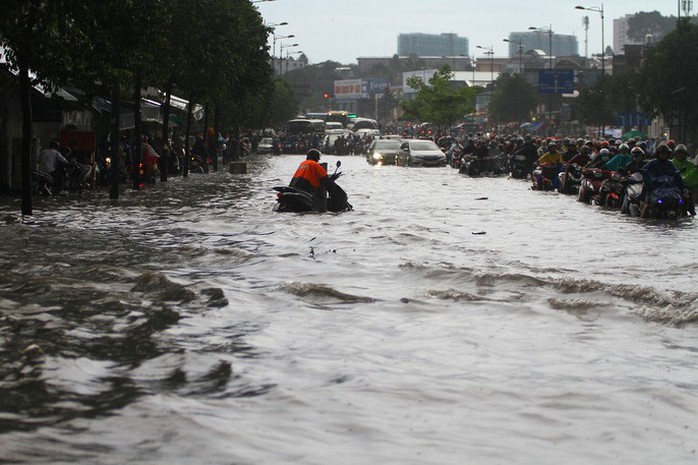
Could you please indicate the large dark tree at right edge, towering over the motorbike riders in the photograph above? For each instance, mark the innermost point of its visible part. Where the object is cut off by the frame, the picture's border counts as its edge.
(665, 80)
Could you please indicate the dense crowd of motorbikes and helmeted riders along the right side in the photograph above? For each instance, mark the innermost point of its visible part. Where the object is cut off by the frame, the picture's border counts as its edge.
(613, 189)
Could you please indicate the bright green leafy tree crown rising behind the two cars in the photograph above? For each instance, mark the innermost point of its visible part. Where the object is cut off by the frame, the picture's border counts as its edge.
(438, 101)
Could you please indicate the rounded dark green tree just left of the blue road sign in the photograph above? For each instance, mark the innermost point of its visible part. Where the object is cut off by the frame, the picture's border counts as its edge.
(513, 99)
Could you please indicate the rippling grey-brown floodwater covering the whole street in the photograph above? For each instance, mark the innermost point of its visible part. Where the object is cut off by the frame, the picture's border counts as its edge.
(447, 320)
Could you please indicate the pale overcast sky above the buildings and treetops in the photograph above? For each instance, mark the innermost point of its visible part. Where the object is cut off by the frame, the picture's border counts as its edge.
(343, 30)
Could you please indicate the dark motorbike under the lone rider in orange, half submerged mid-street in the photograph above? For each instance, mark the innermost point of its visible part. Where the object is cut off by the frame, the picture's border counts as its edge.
(333, 198)
